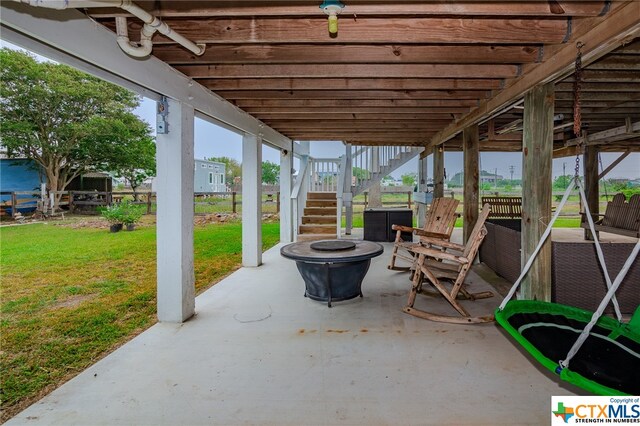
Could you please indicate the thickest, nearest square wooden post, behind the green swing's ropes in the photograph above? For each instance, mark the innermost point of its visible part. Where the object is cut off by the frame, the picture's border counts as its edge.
(536, 189)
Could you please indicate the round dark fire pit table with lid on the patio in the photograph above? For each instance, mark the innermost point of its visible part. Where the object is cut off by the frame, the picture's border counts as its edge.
(332, 270)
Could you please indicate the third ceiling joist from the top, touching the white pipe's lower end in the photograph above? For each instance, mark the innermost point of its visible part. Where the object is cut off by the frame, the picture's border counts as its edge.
(364, 54)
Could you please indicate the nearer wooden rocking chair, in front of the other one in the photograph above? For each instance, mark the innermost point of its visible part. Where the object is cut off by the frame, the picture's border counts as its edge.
(440, 261)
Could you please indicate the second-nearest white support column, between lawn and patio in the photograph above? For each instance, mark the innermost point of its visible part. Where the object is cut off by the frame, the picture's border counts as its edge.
(251, 200)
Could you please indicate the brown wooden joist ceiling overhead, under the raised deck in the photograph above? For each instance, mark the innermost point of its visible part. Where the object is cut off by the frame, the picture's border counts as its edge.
(398, 72)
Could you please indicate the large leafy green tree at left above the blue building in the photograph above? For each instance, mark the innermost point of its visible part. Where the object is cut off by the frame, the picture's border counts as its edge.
(63, 119)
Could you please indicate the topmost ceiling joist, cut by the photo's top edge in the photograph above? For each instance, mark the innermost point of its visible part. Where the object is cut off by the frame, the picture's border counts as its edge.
(194, 9)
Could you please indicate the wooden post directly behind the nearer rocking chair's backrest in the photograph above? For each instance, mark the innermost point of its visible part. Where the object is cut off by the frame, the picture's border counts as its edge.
(471, 149)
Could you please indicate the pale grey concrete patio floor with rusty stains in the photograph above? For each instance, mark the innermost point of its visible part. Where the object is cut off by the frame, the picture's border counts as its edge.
(258, 352)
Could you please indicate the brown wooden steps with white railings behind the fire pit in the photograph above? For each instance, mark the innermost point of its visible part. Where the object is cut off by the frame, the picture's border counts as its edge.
(319, 219)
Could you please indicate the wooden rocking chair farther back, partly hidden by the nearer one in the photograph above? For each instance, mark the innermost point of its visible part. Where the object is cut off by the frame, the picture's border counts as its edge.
(439, 224)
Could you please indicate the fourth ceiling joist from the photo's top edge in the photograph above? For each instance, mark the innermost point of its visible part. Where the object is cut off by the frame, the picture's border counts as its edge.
(349, 70)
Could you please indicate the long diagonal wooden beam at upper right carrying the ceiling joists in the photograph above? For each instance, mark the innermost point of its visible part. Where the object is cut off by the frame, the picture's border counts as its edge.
(600, 36)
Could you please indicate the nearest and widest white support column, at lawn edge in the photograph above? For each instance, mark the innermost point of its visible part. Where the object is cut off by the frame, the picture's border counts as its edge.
(176, 279)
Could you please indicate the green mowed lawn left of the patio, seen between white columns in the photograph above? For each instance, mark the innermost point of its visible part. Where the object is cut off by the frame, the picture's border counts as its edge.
(69, 296)
